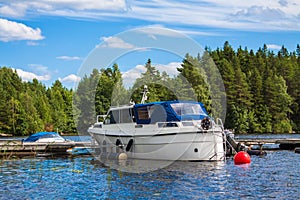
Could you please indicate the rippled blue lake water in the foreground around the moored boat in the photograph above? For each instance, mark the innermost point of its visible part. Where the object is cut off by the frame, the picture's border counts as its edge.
(276, 175)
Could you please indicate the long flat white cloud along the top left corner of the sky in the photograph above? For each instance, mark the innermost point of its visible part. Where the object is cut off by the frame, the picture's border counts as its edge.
(76, 8)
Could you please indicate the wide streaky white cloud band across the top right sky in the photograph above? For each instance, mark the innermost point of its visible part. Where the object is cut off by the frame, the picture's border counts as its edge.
(220, 14)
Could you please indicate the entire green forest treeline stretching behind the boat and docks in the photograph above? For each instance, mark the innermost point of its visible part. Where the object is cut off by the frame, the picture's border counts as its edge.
(261, 92)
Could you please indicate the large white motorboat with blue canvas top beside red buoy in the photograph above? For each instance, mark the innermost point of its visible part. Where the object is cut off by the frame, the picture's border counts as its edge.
(168, 130)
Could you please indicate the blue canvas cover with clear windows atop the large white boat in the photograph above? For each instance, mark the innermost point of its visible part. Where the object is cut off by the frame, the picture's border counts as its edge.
(163, 112)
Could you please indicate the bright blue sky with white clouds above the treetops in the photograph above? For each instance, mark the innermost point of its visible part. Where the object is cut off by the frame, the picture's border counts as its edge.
(53, 39)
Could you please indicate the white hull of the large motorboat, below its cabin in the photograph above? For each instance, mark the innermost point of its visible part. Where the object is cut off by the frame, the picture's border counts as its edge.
(147, 142)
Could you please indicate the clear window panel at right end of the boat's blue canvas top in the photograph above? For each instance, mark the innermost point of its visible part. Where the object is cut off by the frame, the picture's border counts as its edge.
(187, 109)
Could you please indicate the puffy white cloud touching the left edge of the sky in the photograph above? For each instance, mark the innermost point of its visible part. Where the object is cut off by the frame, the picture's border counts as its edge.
(11, 31)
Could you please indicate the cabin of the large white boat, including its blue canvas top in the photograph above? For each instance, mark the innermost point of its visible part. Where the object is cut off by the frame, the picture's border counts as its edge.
(151, 113)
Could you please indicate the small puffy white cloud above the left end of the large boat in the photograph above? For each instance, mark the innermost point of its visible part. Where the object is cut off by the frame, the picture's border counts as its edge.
(115, 43)
